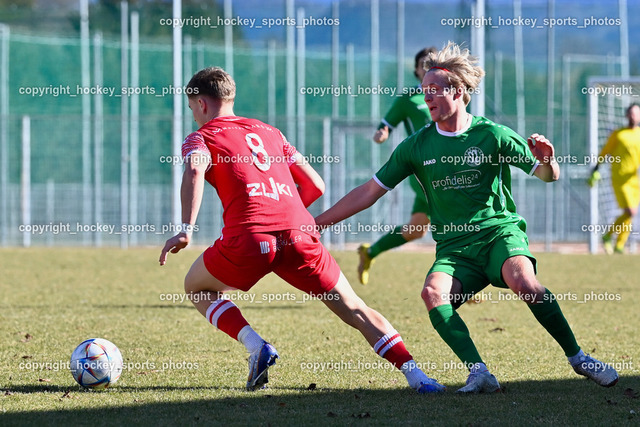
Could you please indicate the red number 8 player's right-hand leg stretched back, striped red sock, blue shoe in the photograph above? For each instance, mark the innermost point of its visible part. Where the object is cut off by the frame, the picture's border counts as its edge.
(385, 340)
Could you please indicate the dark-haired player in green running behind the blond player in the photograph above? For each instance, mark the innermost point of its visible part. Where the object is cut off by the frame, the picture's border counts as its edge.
(411, 110)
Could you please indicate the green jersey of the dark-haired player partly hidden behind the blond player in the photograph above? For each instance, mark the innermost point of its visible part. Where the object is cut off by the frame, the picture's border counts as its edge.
(409, 109)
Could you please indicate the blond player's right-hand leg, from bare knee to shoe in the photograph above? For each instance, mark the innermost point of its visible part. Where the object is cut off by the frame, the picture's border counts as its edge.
(519, 275)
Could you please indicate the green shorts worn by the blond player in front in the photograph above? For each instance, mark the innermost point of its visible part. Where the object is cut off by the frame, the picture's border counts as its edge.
(476, 260)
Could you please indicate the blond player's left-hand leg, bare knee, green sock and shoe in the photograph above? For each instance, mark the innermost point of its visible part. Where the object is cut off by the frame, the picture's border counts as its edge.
(439, 290)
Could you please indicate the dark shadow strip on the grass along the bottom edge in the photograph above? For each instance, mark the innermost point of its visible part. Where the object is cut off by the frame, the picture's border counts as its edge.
(565, 401)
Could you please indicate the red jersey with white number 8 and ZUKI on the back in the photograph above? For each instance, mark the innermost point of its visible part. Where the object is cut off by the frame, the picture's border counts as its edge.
(249, 168)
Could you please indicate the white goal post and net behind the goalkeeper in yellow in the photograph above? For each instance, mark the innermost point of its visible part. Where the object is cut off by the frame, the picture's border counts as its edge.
(608, 99)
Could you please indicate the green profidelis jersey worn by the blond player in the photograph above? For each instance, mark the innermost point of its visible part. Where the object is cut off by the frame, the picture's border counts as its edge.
(465, 175)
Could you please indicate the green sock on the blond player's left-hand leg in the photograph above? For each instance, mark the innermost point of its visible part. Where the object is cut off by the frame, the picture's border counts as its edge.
(454, 332)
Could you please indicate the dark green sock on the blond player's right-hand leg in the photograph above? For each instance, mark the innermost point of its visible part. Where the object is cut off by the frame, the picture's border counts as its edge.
(550, 316)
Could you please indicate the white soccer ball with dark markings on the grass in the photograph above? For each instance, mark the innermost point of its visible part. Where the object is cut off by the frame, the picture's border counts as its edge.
(96, 363)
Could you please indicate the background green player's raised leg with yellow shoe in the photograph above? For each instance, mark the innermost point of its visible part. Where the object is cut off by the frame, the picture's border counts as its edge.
(416, 229)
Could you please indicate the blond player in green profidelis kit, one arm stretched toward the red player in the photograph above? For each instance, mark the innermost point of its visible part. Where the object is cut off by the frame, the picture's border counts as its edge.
(463, 163)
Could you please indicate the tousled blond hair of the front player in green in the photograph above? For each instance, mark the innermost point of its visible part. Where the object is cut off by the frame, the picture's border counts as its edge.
(462, 71)
